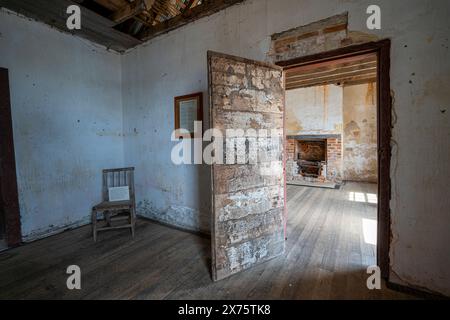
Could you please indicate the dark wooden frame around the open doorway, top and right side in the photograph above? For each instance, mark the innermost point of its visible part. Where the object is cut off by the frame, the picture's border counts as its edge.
(382, 49)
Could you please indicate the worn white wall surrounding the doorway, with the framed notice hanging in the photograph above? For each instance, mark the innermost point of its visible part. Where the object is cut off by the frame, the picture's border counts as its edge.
(175, 64)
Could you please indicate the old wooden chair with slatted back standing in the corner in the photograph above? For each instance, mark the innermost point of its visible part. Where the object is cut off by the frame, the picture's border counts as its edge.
(114, 211)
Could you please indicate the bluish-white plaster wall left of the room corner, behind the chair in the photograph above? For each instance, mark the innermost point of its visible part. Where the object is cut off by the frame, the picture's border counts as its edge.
(67, 122)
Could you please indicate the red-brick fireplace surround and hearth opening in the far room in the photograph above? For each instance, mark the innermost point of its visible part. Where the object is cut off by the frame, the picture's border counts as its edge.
(314, 158)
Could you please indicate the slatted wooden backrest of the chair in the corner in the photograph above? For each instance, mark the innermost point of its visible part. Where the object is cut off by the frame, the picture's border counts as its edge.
(119, 177)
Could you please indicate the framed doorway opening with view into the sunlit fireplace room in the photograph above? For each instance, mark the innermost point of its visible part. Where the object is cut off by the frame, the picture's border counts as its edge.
(337, 129)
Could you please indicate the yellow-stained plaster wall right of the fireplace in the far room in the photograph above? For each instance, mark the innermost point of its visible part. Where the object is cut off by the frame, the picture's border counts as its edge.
(360, 133)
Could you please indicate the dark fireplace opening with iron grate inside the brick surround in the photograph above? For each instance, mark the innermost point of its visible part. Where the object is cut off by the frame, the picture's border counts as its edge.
(311, 158)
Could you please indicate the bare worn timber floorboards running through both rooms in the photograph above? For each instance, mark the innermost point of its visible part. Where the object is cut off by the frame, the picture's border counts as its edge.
(326, 257)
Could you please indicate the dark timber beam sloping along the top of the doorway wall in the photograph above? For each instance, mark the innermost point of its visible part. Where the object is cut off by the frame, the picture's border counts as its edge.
(205, 9)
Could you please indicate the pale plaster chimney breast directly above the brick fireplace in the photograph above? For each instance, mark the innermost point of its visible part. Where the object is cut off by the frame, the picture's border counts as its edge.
(314, 110)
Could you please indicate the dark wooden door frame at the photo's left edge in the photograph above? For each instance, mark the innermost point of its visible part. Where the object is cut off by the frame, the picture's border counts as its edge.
(8, 180)
